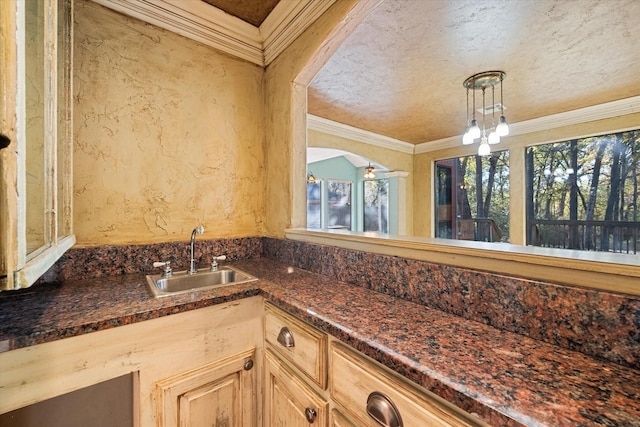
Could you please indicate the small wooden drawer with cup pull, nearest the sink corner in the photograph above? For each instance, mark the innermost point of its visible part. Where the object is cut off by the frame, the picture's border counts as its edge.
(300, 344)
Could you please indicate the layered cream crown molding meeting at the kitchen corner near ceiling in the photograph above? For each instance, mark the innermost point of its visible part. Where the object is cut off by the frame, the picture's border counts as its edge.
(213, 27)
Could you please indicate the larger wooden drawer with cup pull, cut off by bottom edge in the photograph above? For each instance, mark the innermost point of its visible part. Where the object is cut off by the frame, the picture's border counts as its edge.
(354, 380)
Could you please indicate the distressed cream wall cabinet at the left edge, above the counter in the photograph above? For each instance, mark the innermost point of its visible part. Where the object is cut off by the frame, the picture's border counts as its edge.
(36, 120)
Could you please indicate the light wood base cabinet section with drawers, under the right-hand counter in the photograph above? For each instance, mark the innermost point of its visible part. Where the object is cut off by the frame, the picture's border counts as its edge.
(302, 361)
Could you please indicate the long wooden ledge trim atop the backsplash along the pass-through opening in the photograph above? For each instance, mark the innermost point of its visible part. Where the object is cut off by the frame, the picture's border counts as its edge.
(600, 271)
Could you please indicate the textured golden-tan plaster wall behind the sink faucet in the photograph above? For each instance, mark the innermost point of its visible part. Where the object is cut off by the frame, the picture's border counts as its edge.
(168, 134)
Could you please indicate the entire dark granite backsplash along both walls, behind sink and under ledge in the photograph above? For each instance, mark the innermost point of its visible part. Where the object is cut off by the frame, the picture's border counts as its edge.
(601, 324)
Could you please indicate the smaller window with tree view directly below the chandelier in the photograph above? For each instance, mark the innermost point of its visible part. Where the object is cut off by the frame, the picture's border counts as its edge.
(472, 198)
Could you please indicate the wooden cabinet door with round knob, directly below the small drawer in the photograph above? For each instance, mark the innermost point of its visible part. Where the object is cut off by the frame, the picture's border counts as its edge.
(289, 402)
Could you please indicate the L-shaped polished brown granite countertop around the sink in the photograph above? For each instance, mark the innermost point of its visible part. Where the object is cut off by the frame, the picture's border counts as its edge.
(505, 378)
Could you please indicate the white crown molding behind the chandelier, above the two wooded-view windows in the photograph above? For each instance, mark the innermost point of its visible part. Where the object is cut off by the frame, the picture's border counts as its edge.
(608, 110)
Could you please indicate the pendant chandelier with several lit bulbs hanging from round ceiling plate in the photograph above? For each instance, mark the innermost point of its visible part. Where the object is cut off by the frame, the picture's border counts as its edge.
(483, 81)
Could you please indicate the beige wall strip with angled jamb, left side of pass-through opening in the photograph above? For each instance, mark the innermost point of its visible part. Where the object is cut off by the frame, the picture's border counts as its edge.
(285, 103)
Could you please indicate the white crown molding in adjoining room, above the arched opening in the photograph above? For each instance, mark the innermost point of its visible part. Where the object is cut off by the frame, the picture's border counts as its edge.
(330, 127)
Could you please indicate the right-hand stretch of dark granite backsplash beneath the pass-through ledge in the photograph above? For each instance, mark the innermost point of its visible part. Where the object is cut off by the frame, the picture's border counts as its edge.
(601, 324)
